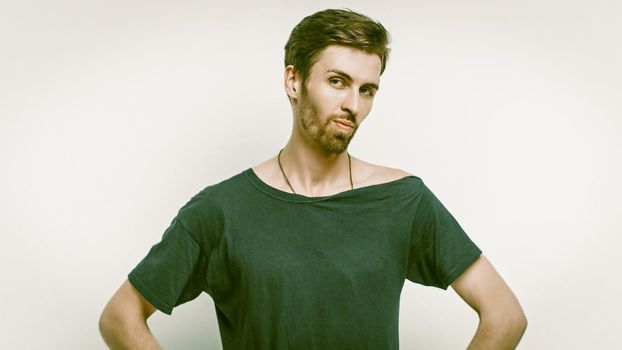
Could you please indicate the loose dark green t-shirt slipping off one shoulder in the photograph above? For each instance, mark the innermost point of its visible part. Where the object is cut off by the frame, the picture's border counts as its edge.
(287, 271)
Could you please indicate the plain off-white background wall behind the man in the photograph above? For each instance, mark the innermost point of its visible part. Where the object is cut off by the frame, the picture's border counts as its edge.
(114, 113)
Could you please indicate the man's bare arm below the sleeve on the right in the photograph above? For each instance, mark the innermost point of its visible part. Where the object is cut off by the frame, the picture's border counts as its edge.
(502, 321)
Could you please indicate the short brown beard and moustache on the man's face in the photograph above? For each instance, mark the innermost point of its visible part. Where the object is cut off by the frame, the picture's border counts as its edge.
(330, 140)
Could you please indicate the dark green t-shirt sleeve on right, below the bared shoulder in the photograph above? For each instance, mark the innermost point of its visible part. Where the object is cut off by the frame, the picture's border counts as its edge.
(440, 250)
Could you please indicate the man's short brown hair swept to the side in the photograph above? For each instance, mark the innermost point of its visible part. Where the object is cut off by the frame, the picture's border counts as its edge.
(334, 27)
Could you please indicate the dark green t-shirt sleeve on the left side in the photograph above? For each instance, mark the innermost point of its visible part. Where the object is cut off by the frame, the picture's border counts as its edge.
(175, 269)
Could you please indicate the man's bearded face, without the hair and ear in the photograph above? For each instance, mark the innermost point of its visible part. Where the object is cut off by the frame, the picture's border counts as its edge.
(337, 96)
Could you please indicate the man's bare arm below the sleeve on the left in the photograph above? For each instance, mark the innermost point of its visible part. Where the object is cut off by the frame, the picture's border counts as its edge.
(123, 323)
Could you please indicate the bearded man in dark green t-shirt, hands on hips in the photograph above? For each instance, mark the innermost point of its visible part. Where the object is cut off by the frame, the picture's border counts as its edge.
(310, 249)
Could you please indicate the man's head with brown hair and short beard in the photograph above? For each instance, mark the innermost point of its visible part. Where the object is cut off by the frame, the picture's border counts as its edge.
(333, 63)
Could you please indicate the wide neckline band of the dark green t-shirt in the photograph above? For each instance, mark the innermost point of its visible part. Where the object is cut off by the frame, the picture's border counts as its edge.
(295, 197)
